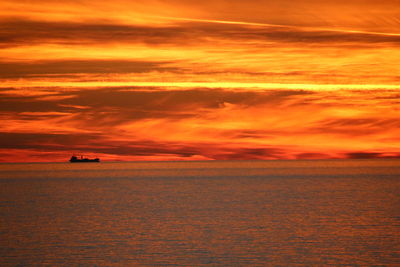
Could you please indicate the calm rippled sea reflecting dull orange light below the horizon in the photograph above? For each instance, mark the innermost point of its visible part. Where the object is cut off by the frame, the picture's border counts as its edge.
(219, 213)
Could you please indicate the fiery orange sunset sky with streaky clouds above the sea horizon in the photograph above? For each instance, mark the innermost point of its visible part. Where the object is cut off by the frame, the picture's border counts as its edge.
(199, 80)
